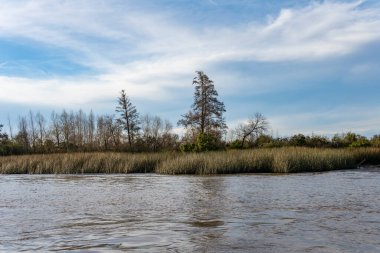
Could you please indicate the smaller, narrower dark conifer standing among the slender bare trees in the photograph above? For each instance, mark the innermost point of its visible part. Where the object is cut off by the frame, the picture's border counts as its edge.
(129, 117)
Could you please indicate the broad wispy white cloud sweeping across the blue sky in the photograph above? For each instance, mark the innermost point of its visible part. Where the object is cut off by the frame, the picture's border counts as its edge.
(150, 53)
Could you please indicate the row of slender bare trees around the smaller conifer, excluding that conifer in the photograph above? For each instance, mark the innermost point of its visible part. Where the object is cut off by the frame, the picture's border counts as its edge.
(81, 132)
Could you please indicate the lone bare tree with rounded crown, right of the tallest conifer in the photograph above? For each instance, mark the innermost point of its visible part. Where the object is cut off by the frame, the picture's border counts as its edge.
(256, 125)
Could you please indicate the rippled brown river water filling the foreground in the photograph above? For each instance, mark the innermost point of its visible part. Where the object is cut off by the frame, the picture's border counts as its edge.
(311, 212)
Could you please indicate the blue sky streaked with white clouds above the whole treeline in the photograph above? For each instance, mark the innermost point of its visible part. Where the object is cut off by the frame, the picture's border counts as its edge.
(310, 67)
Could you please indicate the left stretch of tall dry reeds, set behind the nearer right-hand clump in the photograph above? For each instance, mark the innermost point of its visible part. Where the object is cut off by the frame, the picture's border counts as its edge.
(75, 163)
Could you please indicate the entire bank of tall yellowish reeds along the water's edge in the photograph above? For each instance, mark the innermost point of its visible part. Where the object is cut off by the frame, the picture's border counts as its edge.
(278, 160)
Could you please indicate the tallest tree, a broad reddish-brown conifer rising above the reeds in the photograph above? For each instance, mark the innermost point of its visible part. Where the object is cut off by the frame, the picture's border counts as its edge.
(206, 114)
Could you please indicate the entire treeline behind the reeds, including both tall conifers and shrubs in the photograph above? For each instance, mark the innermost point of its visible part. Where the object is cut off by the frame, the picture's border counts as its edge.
(204, 123)
